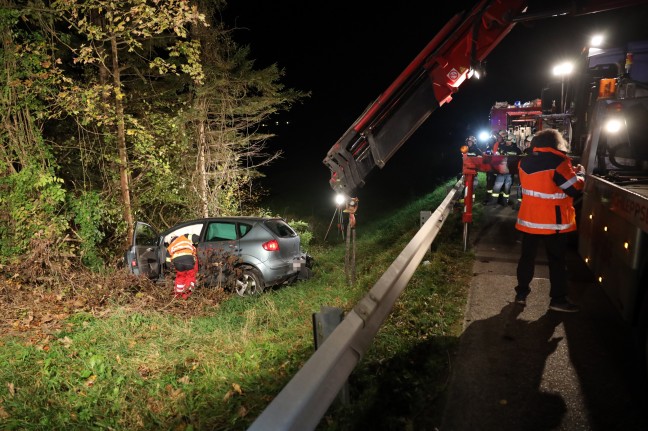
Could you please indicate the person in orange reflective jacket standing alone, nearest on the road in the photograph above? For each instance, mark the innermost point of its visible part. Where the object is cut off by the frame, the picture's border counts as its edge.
(549, 185)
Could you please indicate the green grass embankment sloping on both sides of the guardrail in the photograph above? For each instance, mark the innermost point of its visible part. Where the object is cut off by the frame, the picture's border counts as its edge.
(137, 368)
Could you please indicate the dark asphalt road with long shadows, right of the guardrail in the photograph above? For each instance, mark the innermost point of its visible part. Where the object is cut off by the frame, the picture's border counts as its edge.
(528, 368)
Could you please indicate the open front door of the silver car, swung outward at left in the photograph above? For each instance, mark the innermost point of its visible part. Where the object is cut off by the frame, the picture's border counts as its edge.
(143, 257)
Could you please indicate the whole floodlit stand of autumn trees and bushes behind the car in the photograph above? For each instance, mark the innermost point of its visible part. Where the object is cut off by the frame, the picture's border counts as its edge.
(109, 99)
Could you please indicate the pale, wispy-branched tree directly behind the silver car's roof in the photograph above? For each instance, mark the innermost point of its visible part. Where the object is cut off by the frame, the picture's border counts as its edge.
(224, 121)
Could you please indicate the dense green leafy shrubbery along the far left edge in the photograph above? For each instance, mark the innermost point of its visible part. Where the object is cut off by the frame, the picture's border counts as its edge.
(32, 194)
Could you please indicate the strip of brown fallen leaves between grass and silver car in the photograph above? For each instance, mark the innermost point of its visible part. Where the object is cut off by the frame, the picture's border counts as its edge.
(32, 307)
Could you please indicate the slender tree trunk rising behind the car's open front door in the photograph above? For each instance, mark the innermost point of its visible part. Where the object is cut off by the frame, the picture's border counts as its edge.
(121, 141)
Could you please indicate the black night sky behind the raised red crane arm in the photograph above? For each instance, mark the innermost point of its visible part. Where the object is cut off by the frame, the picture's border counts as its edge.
(347, 52)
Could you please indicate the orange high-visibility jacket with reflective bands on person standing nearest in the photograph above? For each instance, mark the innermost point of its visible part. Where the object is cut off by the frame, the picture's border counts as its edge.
(549, 185)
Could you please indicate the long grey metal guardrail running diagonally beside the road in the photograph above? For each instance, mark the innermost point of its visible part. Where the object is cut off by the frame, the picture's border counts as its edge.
(302, 403)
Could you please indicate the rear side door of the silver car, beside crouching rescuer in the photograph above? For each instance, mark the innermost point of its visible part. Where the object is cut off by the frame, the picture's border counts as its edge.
(220, 243)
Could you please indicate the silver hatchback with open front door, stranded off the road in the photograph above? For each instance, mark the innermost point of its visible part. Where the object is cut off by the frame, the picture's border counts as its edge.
(246, 254)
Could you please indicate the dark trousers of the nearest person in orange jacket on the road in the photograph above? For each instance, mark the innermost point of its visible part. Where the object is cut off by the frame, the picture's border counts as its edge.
(555, 245)
